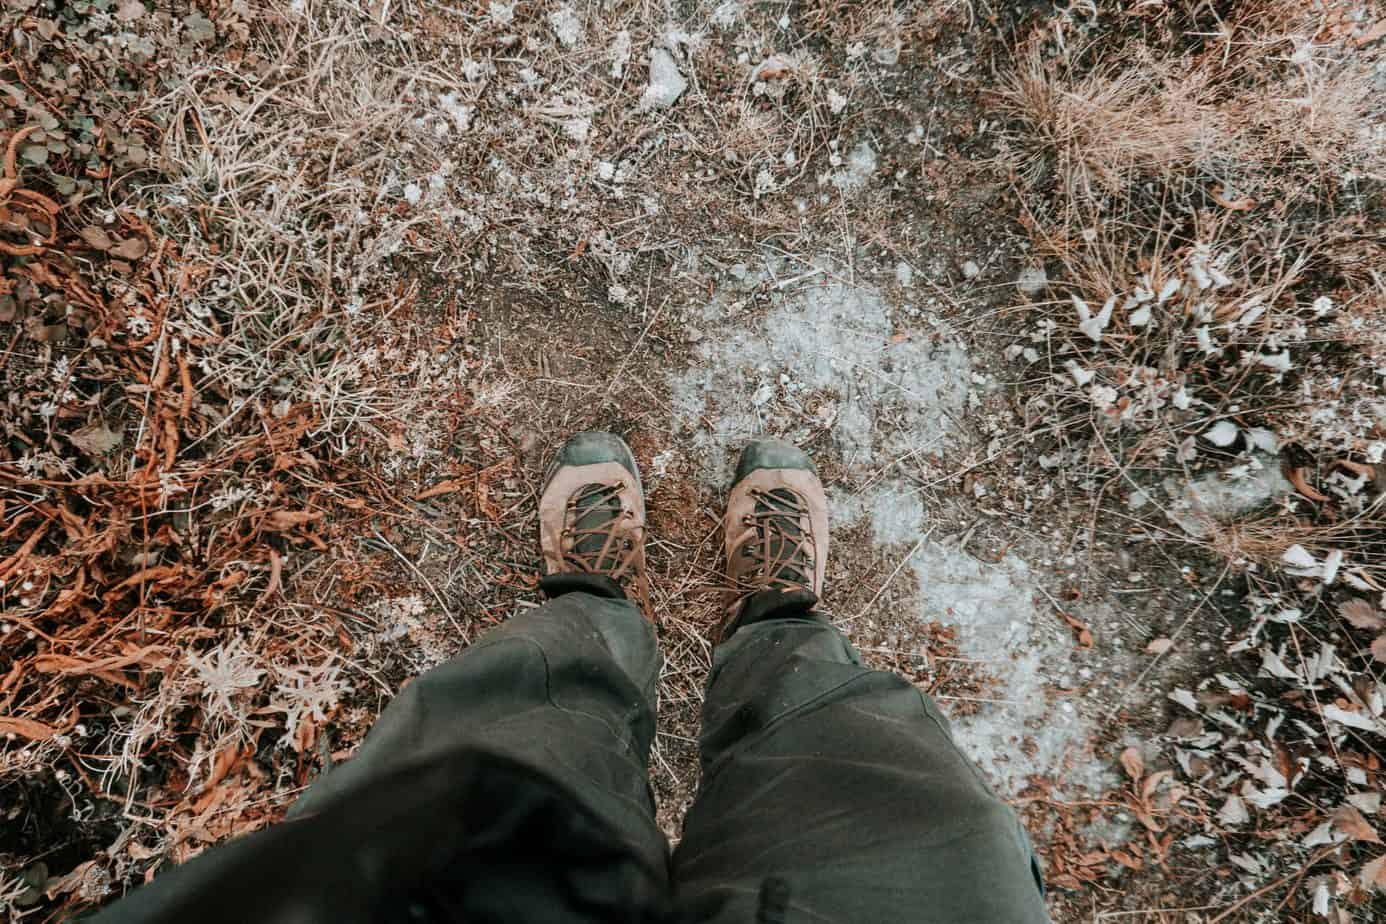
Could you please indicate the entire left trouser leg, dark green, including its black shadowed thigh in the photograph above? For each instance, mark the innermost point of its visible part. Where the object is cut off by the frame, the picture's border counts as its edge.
(509, 785)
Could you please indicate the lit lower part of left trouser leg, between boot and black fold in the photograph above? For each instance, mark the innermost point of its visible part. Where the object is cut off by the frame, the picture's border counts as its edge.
(568, 689)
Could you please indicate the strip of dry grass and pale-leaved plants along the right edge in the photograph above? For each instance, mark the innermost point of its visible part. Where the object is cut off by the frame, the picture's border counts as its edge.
(1201, 192)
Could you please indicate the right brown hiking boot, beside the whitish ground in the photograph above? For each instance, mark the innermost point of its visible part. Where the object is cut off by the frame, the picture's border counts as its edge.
(775, 527)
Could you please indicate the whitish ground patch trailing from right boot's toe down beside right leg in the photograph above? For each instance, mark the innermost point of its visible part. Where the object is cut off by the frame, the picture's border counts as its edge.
(825, 355)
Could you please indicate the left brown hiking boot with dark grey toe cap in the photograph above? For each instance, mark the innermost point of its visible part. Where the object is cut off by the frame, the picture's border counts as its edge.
(593, 516)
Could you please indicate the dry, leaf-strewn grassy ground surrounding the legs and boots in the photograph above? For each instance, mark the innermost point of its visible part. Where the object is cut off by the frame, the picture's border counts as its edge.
(325, 285)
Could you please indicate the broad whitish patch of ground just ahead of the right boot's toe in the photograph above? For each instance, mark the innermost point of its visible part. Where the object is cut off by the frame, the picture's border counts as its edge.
(827, 357)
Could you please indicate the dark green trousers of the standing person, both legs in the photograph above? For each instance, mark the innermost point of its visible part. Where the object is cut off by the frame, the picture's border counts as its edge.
(512, 785)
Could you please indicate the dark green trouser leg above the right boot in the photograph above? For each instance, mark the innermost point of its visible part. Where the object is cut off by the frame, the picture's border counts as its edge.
(835, 793)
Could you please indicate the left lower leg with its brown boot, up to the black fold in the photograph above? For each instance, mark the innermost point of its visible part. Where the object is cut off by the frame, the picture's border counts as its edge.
(568, 688)
